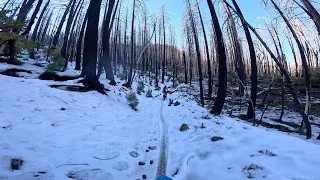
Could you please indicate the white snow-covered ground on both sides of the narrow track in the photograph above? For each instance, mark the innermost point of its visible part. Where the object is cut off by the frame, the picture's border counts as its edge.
(72, 135)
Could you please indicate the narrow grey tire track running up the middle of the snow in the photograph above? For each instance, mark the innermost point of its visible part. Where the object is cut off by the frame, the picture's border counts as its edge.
(162, 165)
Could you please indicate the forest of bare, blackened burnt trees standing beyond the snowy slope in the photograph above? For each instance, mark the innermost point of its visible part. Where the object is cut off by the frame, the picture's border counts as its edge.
(121, 38)
